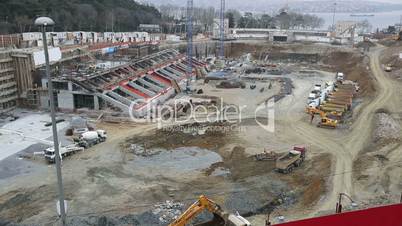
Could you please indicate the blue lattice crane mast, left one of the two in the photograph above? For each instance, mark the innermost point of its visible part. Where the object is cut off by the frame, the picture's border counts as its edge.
(189, 41)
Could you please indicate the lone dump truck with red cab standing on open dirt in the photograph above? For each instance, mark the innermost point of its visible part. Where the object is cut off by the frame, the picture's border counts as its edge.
(294, 158)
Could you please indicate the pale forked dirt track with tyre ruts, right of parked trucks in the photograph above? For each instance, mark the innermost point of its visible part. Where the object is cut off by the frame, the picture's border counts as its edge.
(345, 145)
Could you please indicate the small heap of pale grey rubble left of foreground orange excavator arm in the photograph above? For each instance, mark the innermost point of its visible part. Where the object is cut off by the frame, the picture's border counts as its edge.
(168, 211)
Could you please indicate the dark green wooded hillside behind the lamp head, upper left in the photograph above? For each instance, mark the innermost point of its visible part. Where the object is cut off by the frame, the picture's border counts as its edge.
(84, 15)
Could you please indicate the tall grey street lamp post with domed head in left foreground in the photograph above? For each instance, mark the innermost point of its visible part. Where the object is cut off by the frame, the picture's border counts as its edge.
(43, 22)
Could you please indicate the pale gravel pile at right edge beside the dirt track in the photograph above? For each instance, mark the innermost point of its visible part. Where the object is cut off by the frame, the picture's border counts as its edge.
(386, 129)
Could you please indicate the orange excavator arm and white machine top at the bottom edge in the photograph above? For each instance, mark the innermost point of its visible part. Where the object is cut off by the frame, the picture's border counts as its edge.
(220, 216)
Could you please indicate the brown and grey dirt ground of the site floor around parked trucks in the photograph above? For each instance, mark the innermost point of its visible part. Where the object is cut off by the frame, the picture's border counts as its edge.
(110, 184)
